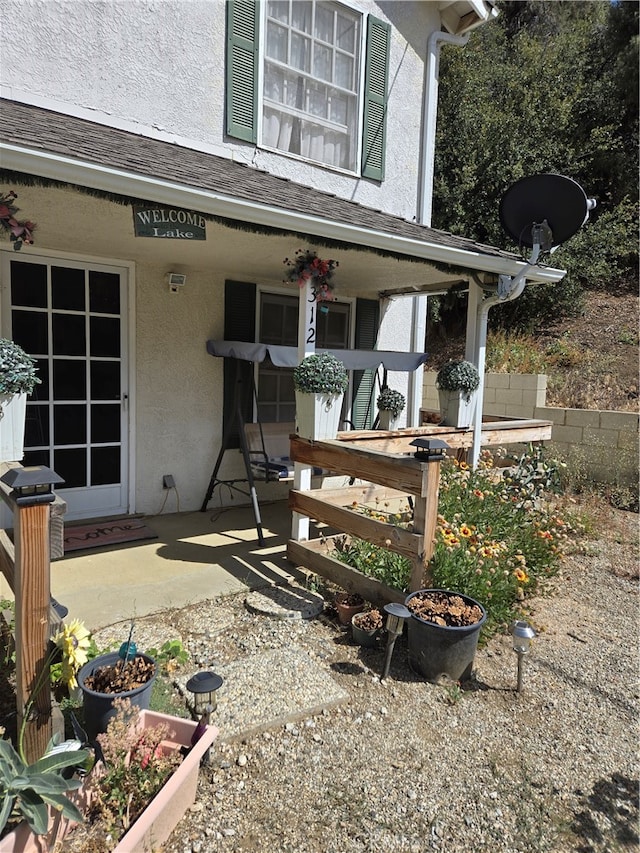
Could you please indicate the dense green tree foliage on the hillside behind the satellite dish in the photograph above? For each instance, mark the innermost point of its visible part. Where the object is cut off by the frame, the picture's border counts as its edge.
(546, 87)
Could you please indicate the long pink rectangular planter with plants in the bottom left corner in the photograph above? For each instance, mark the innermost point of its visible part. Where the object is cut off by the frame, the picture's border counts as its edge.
(138, 790)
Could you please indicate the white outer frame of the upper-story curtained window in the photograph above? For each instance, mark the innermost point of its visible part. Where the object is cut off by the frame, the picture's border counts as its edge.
(357, 138)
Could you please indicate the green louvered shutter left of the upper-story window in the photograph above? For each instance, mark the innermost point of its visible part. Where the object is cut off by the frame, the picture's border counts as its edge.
(242, 69)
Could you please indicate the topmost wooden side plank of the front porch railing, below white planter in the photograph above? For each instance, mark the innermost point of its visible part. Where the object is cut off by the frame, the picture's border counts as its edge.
(402, 473)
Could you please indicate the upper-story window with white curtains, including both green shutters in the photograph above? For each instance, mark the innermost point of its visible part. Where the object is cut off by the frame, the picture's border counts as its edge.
(315, 101)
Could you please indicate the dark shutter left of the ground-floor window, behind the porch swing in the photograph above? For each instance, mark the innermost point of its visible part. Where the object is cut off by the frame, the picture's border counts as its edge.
(239, 325)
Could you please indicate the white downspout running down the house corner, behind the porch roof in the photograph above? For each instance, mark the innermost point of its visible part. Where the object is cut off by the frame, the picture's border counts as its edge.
(425, 204)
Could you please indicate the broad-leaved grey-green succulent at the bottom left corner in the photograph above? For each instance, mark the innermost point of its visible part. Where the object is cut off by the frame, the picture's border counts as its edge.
(27, 789)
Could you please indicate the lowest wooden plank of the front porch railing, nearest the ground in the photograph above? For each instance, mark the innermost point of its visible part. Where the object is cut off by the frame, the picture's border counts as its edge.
(311, 557)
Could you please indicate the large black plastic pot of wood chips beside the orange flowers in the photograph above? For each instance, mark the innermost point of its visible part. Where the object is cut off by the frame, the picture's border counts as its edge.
(439, 650)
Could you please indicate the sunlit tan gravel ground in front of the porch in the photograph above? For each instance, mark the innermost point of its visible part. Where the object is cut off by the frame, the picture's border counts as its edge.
(405, 765)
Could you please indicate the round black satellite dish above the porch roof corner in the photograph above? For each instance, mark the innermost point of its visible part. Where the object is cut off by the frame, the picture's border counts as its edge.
(556, 203)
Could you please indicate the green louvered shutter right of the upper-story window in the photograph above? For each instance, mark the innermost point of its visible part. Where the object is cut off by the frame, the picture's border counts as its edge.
(375, 105)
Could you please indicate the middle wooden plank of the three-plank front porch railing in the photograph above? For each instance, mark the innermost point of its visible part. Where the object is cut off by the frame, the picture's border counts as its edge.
(379, 533)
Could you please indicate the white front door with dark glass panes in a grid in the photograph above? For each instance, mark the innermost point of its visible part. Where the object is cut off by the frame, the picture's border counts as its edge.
(72, 317)
